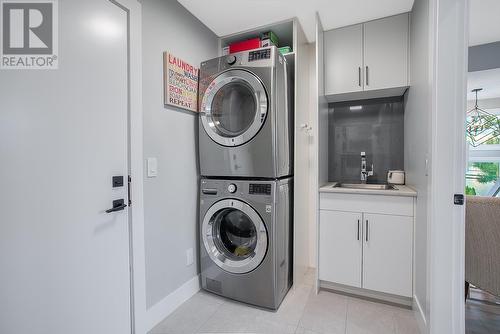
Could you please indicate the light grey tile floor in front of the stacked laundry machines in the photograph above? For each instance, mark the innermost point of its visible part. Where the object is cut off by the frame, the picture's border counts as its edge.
(302, 312)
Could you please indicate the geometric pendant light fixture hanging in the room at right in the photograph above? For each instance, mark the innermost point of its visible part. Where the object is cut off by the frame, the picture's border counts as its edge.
(481, 125)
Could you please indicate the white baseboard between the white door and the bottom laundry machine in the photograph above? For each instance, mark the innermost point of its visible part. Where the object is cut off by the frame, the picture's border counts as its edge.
(167, 305)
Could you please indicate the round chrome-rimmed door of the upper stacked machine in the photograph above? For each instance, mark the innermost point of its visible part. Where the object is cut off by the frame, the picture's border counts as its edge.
(234, 107)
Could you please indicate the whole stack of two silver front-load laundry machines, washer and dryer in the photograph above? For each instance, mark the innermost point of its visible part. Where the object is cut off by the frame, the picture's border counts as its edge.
(246, 163)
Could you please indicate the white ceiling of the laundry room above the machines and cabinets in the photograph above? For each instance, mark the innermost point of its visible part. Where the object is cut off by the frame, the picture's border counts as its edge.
(225, 17)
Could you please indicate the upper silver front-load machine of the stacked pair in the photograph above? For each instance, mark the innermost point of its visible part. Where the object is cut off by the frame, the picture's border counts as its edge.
(246, 124)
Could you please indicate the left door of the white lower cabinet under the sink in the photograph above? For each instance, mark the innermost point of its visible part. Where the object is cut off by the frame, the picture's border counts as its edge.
(340, 245)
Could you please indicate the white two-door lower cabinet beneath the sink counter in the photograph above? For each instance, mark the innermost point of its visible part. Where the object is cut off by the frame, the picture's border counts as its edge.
(372, 251)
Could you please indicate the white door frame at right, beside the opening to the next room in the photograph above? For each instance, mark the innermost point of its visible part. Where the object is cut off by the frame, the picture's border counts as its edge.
(446, 244)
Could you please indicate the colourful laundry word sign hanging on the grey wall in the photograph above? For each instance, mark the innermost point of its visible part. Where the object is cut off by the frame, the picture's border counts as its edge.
(180, 83)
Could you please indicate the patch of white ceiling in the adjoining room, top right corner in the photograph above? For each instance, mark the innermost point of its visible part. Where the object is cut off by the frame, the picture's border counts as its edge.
(484, 24)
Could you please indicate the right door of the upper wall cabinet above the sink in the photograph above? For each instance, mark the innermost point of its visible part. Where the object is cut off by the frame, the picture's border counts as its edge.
(386, 52)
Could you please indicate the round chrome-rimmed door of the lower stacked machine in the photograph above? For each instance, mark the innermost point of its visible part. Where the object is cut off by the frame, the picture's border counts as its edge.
(234, 236)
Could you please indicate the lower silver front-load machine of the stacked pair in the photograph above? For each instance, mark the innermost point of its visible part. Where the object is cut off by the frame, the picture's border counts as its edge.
(245, 239)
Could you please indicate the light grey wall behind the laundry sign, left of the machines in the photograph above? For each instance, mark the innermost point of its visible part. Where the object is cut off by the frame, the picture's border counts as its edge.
(171, 199)
